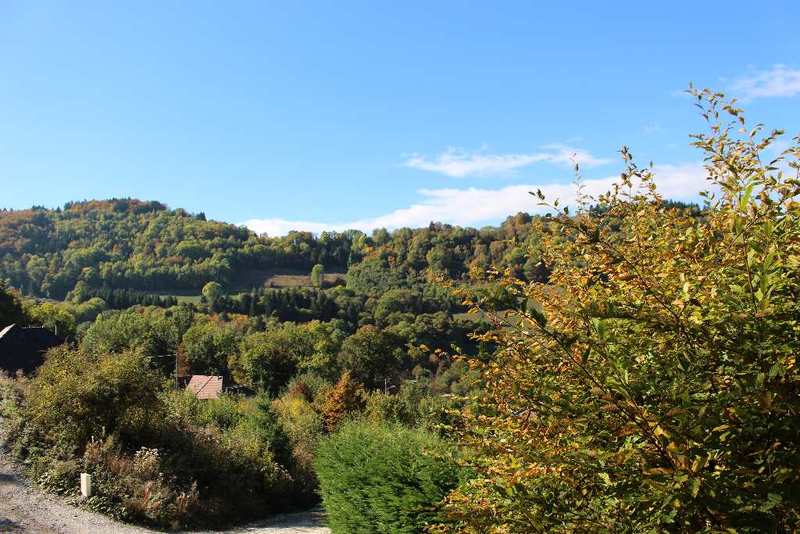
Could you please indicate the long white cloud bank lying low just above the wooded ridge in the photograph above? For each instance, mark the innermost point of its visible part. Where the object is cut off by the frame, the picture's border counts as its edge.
(476, 207)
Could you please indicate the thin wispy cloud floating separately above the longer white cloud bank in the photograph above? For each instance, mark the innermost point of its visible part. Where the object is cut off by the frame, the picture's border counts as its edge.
(459, 163)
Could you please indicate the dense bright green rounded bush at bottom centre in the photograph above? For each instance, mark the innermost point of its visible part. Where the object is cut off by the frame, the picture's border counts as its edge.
(383, 478)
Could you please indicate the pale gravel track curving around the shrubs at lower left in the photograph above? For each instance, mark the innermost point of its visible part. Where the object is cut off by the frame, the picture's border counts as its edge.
(26, 509)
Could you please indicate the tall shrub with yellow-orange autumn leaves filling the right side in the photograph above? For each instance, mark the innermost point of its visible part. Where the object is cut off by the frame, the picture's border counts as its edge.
(655, 388)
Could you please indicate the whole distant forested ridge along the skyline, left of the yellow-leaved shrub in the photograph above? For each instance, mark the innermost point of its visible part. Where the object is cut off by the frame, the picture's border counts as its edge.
(145, 246)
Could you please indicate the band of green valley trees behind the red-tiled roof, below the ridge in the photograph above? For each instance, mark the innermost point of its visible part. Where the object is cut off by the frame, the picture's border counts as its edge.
(378, 340)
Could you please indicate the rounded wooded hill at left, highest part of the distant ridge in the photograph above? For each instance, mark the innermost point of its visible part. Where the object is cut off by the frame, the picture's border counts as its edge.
(123, 243)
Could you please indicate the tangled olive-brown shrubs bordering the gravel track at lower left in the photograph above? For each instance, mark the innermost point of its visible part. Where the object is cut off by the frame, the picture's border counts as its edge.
(157, 457)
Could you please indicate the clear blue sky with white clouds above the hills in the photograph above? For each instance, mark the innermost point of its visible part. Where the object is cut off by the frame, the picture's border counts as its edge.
(319, 115)
